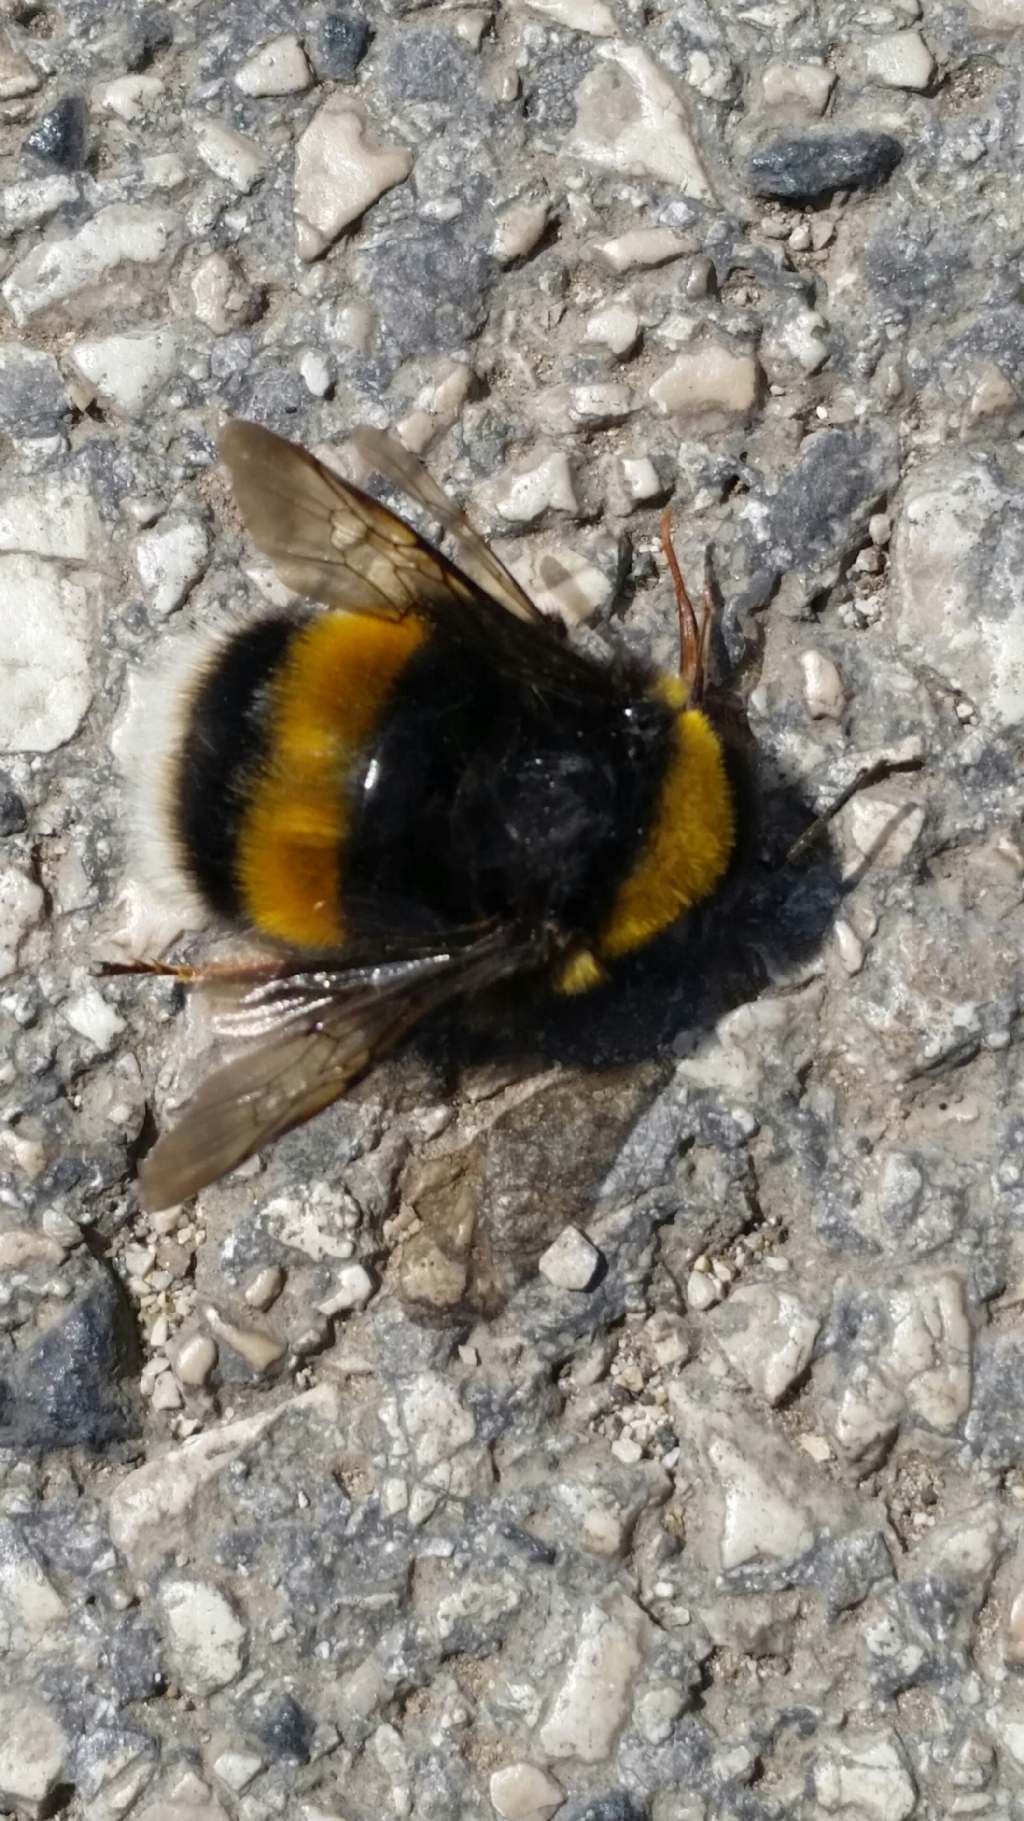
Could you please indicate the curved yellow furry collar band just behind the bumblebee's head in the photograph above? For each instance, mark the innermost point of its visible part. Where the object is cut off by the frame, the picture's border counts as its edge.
(684, 859)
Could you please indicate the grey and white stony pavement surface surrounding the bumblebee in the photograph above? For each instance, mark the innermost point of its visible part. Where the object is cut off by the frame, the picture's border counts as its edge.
(613, 1416)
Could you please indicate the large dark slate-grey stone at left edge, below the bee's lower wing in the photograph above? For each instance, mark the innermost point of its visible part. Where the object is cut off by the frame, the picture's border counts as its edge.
(63, 1392)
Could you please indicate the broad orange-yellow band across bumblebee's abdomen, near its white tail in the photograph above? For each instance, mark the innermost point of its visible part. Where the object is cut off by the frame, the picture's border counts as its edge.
(325, 706)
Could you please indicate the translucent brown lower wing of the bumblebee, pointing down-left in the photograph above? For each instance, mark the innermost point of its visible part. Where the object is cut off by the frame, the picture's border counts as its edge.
(307, 1033)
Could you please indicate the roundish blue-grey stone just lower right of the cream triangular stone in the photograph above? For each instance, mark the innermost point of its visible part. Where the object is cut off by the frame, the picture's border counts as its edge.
(431, 289)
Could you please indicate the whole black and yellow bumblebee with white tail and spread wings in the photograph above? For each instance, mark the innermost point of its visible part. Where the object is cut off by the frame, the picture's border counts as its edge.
(411, 793)
